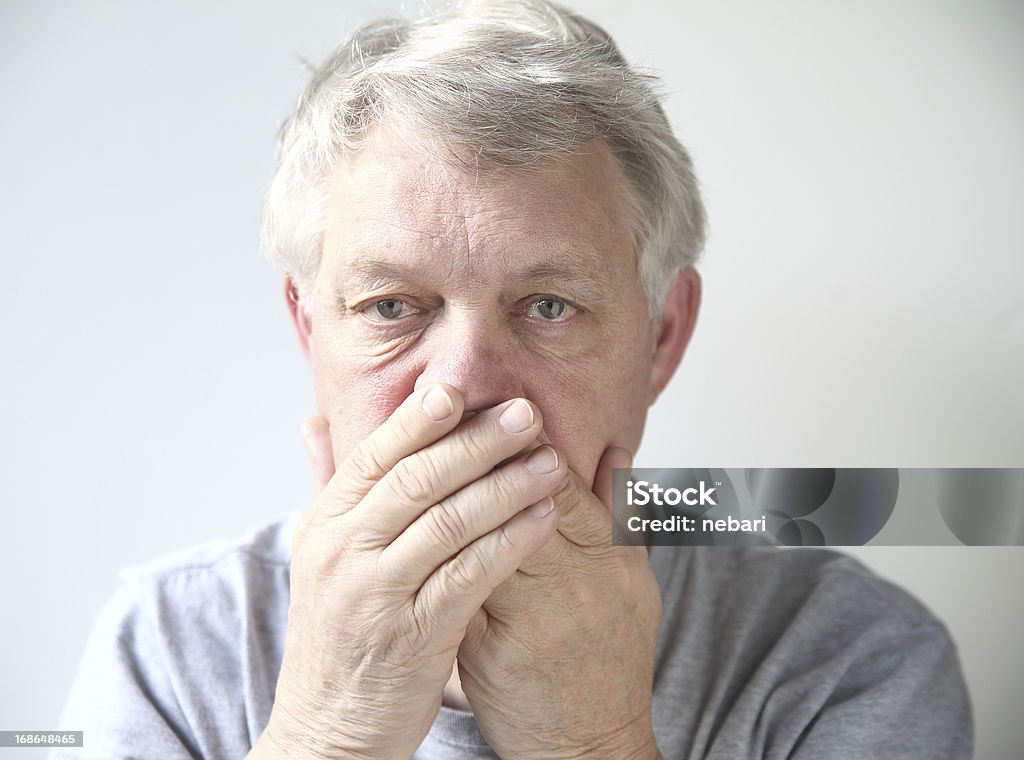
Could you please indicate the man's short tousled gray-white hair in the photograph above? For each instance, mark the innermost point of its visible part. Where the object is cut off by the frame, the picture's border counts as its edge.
(511, 83)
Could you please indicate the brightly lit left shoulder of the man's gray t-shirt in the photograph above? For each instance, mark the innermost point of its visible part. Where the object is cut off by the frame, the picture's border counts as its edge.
(183, 659)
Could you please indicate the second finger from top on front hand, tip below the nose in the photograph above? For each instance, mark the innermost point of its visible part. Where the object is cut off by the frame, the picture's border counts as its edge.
(422, 480)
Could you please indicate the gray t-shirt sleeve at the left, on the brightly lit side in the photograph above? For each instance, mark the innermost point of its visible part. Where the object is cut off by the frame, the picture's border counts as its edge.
(122, 699)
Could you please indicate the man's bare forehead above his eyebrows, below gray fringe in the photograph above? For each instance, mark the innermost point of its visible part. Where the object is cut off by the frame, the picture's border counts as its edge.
(396, 205)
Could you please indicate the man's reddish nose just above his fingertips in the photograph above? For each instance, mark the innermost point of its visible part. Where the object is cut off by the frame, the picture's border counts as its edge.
(478, 359)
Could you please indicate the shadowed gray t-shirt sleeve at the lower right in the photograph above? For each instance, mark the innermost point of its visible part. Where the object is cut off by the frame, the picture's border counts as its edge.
(900, 701)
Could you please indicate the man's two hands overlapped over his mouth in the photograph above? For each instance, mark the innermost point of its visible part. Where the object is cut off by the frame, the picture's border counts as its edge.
(441, 540)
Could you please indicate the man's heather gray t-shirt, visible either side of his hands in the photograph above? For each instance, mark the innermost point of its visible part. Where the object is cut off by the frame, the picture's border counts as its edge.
(762, 654)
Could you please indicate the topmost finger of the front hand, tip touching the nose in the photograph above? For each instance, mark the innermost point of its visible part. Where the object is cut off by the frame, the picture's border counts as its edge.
(424, 417)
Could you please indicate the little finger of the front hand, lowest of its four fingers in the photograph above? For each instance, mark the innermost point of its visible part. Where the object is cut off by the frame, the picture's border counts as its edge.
(457, 590)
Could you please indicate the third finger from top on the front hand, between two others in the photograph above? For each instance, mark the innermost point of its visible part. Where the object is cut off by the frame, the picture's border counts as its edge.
(445, 529)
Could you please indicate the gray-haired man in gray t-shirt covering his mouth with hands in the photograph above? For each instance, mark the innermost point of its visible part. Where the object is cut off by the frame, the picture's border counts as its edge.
(488, 231)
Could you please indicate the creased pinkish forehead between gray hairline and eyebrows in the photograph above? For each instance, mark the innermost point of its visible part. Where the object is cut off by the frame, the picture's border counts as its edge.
(516, 226)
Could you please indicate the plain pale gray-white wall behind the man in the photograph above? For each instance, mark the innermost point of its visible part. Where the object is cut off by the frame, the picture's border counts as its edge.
(863, 167)
